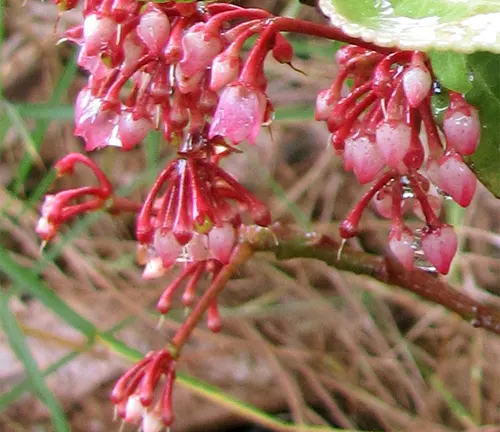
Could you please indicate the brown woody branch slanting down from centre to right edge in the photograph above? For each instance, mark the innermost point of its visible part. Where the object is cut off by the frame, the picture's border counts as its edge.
(286, 243)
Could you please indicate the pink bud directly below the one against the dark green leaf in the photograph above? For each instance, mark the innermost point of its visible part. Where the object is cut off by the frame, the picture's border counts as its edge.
(456, 179)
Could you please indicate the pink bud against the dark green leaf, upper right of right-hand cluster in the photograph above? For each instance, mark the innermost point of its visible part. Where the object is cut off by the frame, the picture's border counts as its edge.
(462, 129)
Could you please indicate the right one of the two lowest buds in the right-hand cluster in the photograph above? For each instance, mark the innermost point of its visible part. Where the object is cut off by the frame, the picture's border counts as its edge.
(439, 246)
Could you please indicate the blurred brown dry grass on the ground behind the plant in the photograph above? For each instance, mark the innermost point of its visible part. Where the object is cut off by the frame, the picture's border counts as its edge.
(299, 338)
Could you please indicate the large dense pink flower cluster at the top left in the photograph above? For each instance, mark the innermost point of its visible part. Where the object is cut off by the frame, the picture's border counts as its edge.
(160, 67)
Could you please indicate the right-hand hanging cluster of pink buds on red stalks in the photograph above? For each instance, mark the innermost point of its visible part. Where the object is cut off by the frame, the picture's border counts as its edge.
(385, 132)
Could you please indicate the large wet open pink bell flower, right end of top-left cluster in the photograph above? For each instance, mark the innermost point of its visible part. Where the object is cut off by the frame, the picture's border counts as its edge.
(239, 114)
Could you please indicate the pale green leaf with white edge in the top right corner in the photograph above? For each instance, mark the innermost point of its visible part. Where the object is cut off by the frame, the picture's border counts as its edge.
(457, 25)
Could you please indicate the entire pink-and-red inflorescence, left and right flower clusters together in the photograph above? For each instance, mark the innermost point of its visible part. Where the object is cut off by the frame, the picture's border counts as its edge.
(179, 69)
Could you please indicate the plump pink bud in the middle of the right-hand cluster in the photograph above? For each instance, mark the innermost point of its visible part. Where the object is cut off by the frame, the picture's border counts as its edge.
(393, 140)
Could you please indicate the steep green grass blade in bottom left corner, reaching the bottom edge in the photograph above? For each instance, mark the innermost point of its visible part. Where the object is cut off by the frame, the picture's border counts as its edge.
(18, 344)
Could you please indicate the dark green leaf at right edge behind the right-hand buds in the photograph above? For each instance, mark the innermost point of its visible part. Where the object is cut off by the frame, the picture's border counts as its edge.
(485, 95)
